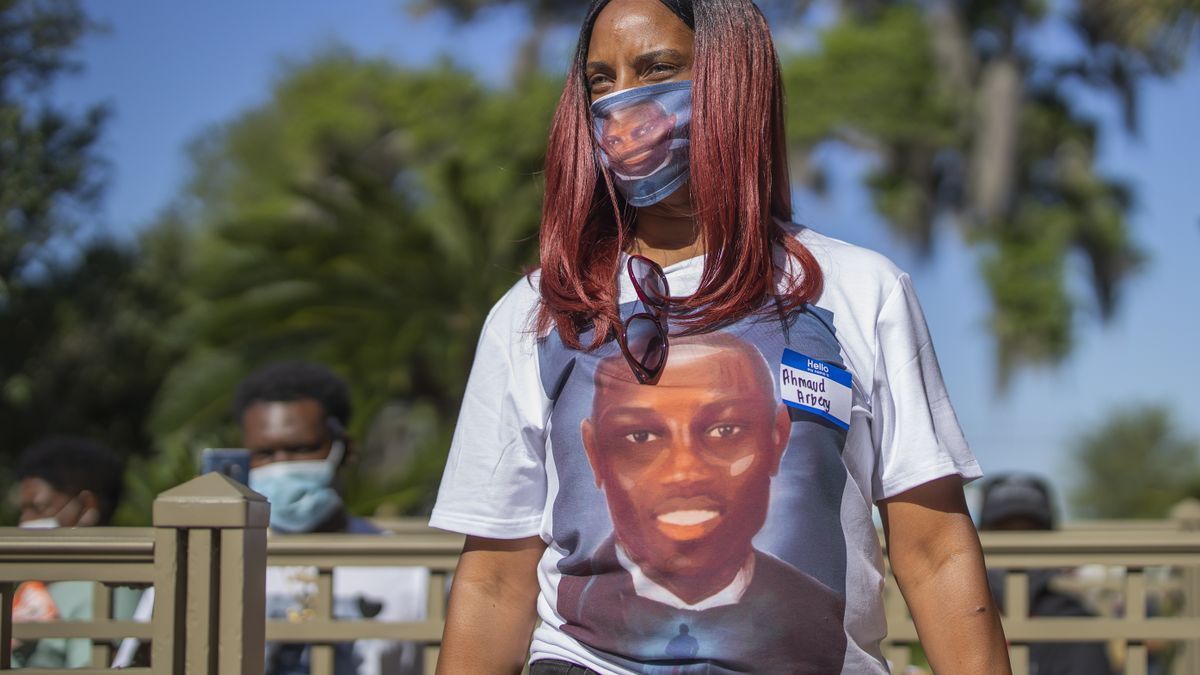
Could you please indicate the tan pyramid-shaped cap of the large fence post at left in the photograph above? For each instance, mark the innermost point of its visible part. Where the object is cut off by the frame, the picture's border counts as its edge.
(212, 501)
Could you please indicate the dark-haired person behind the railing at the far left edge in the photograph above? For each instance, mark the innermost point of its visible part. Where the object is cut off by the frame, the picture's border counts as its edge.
(65, 482)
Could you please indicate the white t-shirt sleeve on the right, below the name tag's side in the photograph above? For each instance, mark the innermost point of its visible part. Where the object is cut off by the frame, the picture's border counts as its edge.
(915, 429)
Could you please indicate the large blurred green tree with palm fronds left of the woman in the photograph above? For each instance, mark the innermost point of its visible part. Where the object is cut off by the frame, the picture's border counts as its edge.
(368, 218)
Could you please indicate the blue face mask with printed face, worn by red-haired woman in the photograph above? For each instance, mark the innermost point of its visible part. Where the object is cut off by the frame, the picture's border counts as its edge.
(643, 136)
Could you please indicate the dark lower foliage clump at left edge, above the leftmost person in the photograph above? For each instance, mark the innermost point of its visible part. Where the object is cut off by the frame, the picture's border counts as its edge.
(81, 348)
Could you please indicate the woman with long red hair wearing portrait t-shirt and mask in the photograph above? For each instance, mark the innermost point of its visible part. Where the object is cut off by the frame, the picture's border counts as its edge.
(675, 432)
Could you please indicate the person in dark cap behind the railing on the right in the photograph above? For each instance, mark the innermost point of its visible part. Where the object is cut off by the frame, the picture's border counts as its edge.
(1022, 503)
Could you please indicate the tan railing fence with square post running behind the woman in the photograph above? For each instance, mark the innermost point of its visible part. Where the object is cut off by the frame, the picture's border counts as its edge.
(208, 552)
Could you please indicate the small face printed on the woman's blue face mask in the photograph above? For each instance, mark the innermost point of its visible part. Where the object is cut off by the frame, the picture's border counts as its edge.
(637, 139)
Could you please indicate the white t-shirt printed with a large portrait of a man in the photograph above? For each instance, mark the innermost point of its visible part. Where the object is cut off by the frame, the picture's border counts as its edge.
(719, 521)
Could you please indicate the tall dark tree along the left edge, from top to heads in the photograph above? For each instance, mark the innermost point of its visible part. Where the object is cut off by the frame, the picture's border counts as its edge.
(80, 314)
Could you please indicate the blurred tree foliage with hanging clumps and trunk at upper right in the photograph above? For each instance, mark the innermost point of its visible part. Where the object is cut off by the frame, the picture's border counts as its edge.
(974, 128)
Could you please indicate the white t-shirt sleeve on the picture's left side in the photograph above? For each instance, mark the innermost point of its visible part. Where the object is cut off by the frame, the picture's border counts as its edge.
(495, 481)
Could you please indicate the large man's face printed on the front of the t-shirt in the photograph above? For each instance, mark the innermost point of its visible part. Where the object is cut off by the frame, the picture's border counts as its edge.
(686, 465)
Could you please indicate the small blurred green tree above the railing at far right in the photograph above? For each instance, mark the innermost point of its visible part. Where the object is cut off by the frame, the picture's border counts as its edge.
(1136, 465)
